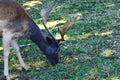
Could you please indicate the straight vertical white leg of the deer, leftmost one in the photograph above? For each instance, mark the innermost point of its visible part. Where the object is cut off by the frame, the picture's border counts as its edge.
(7, 36)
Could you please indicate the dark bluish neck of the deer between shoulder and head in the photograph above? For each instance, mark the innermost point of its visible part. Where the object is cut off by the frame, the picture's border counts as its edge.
(36, 35)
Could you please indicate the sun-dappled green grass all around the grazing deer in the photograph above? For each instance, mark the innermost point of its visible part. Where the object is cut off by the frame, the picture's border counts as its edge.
(92, 51)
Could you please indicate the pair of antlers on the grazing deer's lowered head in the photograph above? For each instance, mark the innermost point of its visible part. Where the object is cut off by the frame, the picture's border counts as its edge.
(45, 14)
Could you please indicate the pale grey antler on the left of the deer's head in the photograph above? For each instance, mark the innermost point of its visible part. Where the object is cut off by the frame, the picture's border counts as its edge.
(45, 14)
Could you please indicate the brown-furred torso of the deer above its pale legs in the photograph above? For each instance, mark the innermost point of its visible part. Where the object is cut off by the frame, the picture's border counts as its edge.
(14, 15)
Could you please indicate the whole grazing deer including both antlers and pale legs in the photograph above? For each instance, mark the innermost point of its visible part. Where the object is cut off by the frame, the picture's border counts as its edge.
(15, 22)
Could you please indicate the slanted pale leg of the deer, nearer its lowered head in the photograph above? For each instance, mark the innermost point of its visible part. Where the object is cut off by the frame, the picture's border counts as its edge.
(16, 48)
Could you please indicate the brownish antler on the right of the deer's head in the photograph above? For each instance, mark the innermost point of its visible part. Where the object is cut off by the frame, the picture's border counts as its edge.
(73, 18)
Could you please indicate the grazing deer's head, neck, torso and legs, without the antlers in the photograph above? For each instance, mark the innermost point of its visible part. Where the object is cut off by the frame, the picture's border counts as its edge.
(14, 22)
